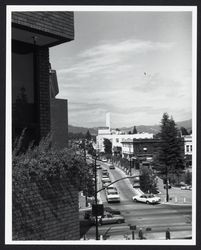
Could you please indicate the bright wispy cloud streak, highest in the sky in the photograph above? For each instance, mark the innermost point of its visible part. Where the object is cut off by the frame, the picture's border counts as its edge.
(109, 55)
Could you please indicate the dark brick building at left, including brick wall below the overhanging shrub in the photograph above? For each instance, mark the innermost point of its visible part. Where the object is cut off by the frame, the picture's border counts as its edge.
(36, 109)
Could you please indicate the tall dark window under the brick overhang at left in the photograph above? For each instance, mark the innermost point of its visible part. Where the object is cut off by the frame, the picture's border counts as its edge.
(24, 107)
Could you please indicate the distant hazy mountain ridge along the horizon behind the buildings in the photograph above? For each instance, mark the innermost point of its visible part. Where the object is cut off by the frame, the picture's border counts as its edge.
(187, 124)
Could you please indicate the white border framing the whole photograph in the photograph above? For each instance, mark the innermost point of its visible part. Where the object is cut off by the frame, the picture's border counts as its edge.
(8, 134)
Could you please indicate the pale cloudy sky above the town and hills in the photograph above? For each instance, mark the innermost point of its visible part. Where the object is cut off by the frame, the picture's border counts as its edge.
(135, 65)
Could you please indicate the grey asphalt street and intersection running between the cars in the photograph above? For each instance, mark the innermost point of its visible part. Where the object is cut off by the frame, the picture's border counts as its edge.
(158, 217)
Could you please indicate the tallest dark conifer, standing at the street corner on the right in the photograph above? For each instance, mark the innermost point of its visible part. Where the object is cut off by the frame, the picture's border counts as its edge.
(170, 153)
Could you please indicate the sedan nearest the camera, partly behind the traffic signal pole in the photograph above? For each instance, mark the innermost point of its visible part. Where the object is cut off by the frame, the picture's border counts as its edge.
(108, 218)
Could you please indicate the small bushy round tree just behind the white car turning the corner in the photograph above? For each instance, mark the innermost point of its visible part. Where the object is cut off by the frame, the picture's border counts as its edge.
(148, 182)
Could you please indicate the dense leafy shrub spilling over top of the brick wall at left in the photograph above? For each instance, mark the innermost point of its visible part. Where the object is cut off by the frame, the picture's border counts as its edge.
(42, 162)
